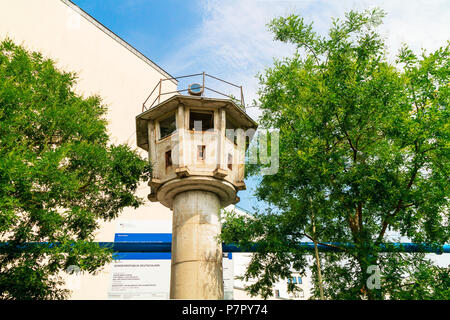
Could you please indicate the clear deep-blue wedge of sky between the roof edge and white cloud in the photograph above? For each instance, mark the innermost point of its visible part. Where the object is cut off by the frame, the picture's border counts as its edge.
(153, 27)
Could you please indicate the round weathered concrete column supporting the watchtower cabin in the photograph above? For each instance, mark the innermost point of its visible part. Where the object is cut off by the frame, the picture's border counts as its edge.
(196, 271)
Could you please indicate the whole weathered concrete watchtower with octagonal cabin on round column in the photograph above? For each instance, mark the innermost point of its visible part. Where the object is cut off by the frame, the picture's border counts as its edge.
(197, 147)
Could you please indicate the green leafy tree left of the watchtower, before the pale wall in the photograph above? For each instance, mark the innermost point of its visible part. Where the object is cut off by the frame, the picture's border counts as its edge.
(58, 176)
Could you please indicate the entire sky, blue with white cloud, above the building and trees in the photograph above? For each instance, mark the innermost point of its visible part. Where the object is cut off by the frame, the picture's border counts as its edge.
(230, 39)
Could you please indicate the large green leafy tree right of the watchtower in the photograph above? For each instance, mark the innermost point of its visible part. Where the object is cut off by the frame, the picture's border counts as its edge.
(363, 149)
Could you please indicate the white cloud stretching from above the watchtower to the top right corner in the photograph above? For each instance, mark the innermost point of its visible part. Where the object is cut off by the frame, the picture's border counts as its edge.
(232, 40)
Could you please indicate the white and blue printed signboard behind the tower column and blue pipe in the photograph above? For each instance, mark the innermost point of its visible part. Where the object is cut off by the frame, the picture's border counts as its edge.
(146, 276)
